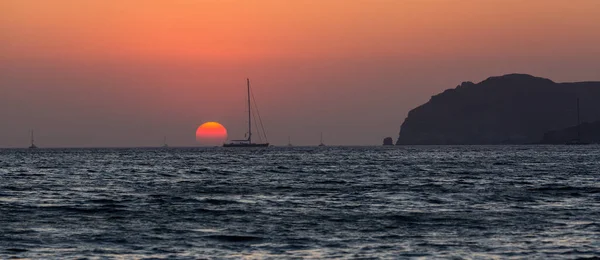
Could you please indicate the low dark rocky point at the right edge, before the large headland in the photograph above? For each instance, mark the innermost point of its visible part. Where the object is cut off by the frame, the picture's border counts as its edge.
(585, 133)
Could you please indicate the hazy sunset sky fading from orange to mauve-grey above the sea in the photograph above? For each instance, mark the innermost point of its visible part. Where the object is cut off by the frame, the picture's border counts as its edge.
(122, 73)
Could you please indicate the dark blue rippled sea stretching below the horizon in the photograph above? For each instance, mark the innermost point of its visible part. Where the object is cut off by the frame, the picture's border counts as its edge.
(472, 202)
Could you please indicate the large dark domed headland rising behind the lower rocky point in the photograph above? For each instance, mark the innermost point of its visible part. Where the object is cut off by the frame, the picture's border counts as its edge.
(510, 109)
